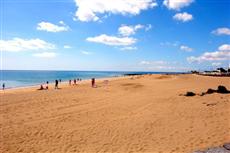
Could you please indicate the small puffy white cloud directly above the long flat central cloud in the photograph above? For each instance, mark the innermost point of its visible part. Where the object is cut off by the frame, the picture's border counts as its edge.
(125, 30)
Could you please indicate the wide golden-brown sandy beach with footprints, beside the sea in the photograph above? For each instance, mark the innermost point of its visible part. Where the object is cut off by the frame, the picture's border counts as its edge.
(141, 114)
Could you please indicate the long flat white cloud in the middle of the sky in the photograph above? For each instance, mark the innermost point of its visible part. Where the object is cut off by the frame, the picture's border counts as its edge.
(112, 40)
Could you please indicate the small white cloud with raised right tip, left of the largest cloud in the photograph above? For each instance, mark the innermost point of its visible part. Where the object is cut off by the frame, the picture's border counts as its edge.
(50, 27)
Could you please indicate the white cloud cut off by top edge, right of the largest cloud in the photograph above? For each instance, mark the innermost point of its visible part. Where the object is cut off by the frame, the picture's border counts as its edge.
(177, 4)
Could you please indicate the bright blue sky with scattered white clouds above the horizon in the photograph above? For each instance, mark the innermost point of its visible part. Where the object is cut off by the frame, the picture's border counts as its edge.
(134, 35)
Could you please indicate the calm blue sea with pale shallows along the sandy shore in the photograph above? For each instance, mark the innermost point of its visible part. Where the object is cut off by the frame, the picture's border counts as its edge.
(24, 78)
